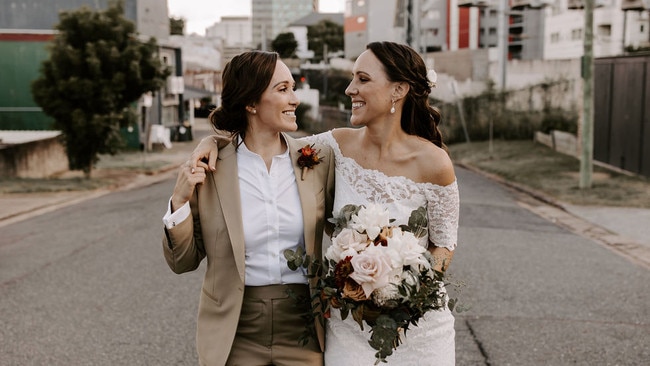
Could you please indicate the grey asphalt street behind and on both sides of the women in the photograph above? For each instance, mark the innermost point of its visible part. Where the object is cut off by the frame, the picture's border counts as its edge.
(87, 284)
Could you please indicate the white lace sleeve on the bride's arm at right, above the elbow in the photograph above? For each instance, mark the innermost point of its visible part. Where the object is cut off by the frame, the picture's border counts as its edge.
(443, 206)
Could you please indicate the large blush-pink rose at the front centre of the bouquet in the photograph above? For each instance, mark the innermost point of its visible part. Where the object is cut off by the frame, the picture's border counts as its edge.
(372, 268)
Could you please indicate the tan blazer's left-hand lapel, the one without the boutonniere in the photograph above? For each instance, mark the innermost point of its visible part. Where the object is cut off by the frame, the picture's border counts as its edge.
(227, 184)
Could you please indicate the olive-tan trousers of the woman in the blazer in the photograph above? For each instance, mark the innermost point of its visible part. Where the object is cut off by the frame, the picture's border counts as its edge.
(270, 325)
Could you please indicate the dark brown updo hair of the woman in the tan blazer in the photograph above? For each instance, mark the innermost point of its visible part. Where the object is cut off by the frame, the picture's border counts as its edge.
(244, 80)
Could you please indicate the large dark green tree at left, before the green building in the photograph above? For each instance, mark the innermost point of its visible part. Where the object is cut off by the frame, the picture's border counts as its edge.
(96, 70)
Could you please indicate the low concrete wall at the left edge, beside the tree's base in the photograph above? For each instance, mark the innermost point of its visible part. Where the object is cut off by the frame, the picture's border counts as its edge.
(33, 159)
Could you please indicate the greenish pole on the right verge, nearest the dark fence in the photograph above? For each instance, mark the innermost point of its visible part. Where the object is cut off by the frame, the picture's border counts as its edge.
(587, 140)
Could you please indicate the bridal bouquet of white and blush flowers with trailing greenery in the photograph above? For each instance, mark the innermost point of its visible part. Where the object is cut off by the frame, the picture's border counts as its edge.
(376, 272)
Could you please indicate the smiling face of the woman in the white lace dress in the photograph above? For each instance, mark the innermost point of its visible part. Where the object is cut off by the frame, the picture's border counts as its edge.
(369, 89)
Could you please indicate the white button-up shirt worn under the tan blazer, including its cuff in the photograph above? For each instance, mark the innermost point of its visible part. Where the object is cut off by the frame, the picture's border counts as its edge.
(271, 216)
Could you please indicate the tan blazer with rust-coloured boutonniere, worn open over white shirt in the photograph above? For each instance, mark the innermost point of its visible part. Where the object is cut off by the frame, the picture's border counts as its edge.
(215, 231)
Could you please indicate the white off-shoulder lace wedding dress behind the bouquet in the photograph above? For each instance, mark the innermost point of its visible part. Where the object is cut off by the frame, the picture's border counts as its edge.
(432, 341)
